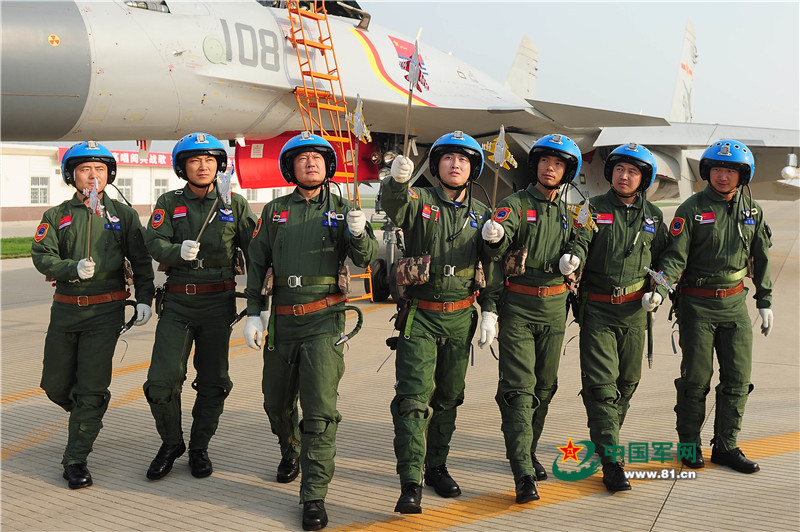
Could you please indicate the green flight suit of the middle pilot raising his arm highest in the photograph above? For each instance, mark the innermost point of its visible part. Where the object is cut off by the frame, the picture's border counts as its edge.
(433, 351)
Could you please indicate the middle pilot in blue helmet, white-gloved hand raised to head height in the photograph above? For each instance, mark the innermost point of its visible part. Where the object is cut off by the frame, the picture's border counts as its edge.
(437, 320)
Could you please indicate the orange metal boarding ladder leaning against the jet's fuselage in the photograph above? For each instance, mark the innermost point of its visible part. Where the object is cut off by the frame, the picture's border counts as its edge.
(323, 110)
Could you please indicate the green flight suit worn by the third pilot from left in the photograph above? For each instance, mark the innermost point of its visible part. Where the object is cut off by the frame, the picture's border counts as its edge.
(305, 247)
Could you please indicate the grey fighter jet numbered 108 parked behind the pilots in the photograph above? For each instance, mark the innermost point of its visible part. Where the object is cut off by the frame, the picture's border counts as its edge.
(133, 69)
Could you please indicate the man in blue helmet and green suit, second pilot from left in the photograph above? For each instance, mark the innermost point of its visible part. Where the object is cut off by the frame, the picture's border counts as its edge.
(198, 303)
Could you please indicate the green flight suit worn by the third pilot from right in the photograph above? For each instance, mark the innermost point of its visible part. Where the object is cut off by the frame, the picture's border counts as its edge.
(531, 326)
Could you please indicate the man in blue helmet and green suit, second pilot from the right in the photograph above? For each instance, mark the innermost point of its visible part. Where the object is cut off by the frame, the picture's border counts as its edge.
(630, 235)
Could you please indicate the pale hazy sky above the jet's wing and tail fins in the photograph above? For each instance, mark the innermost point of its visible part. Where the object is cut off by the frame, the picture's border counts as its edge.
(625, 56)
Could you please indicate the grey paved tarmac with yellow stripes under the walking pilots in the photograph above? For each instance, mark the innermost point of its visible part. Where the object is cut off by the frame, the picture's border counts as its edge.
(242, 493)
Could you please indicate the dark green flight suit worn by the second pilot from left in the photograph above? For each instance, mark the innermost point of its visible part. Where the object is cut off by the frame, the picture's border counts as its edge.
(200, 318)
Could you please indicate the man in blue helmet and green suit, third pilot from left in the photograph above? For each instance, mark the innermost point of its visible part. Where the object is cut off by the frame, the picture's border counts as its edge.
(297, 255)
